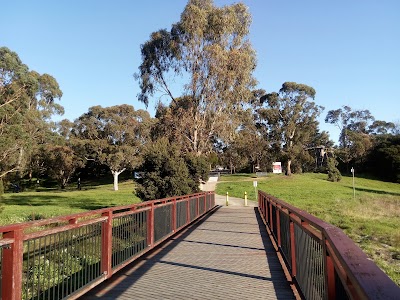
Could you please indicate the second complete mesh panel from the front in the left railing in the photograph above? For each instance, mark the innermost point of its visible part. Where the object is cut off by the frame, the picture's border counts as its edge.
(129, 234)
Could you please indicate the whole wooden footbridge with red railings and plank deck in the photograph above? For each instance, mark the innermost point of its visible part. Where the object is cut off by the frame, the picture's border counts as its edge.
(187, 248)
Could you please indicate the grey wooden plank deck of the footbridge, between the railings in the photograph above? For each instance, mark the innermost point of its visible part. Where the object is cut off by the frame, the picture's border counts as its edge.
(228, 255)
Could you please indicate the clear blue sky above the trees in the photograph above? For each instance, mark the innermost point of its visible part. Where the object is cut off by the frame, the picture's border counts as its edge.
(349, 51)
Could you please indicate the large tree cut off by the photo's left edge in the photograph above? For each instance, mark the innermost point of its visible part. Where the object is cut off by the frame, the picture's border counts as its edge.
(26, 105)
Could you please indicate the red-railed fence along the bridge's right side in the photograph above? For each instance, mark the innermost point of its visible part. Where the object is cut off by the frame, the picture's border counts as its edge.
(321, 260)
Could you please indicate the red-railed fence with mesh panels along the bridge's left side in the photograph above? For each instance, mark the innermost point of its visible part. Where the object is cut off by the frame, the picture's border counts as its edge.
(66, 256)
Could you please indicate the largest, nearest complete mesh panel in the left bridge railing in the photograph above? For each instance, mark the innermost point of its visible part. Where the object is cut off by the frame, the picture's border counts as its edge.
(57, 265)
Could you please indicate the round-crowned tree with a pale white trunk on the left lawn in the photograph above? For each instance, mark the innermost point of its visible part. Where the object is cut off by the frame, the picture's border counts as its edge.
(113, 136)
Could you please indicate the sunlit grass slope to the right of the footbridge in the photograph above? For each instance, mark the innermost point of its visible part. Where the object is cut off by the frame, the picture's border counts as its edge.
(372, 219)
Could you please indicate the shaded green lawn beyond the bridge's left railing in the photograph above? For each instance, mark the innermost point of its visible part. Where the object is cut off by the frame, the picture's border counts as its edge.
(46, 203)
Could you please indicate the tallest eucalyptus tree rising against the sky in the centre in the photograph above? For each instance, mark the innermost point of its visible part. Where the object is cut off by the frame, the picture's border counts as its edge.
(209, 49)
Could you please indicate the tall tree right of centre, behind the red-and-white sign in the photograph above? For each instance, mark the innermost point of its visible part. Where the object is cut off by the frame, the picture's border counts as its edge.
(290, 119)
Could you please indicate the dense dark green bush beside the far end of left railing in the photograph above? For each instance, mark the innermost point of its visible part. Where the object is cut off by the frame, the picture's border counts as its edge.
(165, 173)
